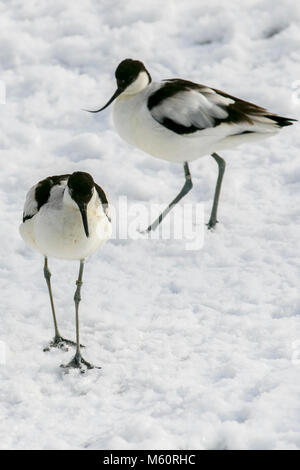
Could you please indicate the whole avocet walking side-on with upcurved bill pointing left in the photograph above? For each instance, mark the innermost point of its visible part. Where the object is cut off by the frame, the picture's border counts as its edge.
(180, 121)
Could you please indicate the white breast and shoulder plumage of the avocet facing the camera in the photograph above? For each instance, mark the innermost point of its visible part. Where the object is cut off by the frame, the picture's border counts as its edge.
(56, 230)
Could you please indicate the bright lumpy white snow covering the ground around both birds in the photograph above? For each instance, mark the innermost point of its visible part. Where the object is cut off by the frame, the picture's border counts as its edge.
(199, 349)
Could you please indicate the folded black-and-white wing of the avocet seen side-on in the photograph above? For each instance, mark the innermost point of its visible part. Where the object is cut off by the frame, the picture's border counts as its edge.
(186, 107)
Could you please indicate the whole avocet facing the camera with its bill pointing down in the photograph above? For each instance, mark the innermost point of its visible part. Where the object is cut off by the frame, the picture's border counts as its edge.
(66, 217)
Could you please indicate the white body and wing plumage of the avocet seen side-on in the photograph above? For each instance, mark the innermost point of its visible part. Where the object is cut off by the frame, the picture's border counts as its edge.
(146, 129)
